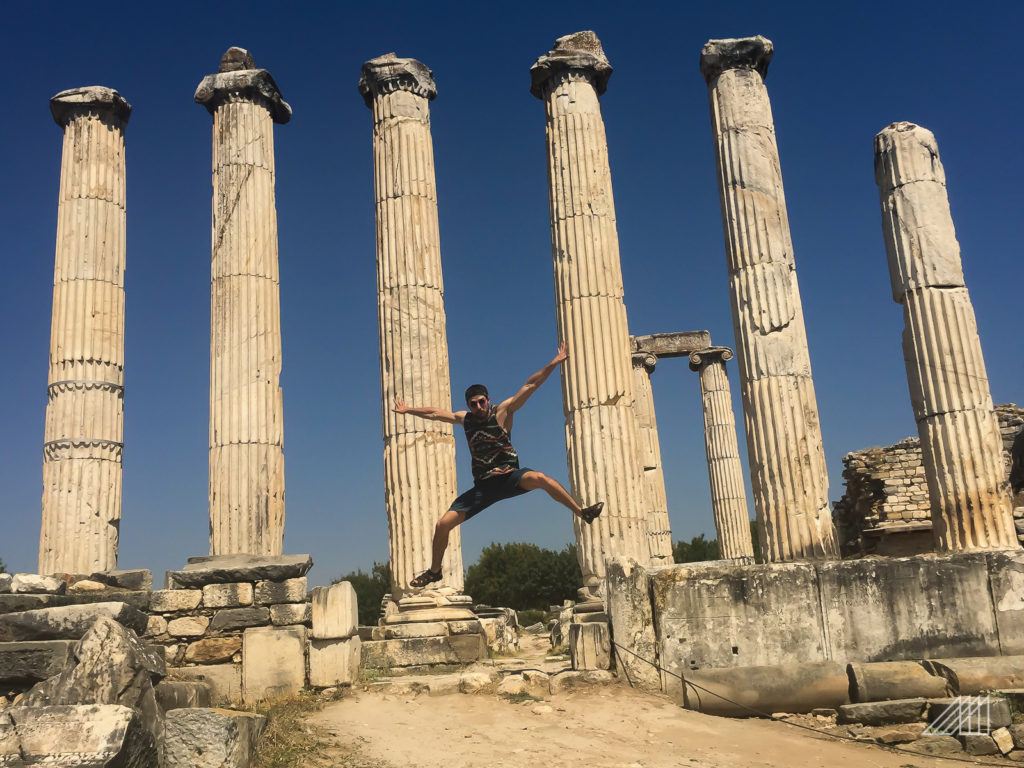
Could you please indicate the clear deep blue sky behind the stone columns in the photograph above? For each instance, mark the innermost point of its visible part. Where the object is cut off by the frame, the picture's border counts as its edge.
(840, 75)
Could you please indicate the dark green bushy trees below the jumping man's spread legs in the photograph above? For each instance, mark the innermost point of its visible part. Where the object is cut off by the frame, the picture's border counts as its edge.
(524, 576)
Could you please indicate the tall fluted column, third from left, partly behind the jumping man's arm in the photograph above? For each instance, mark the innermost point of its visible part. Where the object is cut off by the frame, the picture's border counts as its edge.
(419, 455)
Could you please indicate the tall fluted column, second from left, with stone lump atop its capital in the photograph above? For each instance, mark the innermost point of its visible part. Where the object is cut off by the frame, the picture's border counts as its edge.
(247, 454)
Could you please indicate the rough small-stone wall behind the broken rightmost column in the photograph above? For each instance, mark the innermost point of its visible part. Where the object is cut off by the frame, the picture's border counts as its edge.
(885, 508)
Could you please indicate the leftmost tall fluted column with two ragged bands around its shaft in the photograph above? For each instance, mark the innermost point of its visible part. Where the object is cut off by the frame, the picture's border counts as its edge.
(86, 399)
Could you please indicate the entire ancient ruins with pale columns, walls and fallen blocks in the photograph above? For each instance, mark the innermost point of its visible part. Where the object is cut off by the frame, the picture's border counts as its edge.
(888, 612)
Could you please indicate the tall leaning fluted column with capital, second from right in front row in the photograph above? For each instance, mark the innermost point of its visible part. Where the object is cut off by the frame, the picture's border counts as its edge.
(784, 438)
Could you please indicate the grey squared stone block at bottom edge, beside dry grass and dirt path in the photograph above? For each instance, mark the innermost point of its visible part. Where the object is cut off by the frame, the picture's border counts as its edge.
(212, 739)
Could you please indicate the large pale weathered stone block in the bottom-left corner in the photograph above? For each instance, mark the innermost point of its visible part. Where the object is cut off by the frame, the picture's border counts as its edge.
(78, 737)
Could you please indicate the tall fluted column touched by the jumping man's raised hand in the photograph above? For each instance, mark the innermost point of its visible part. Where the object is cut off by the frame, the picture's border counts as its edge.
(598, 385)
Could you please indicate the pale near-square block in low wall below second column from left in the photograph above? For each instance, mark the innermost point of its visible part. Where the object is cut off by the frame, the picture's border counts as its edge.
(274, 663)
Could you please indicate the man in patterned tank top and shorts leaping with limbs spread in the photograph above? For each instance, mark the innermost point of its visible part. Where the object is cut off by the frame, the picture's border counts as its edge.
(497, 474)
